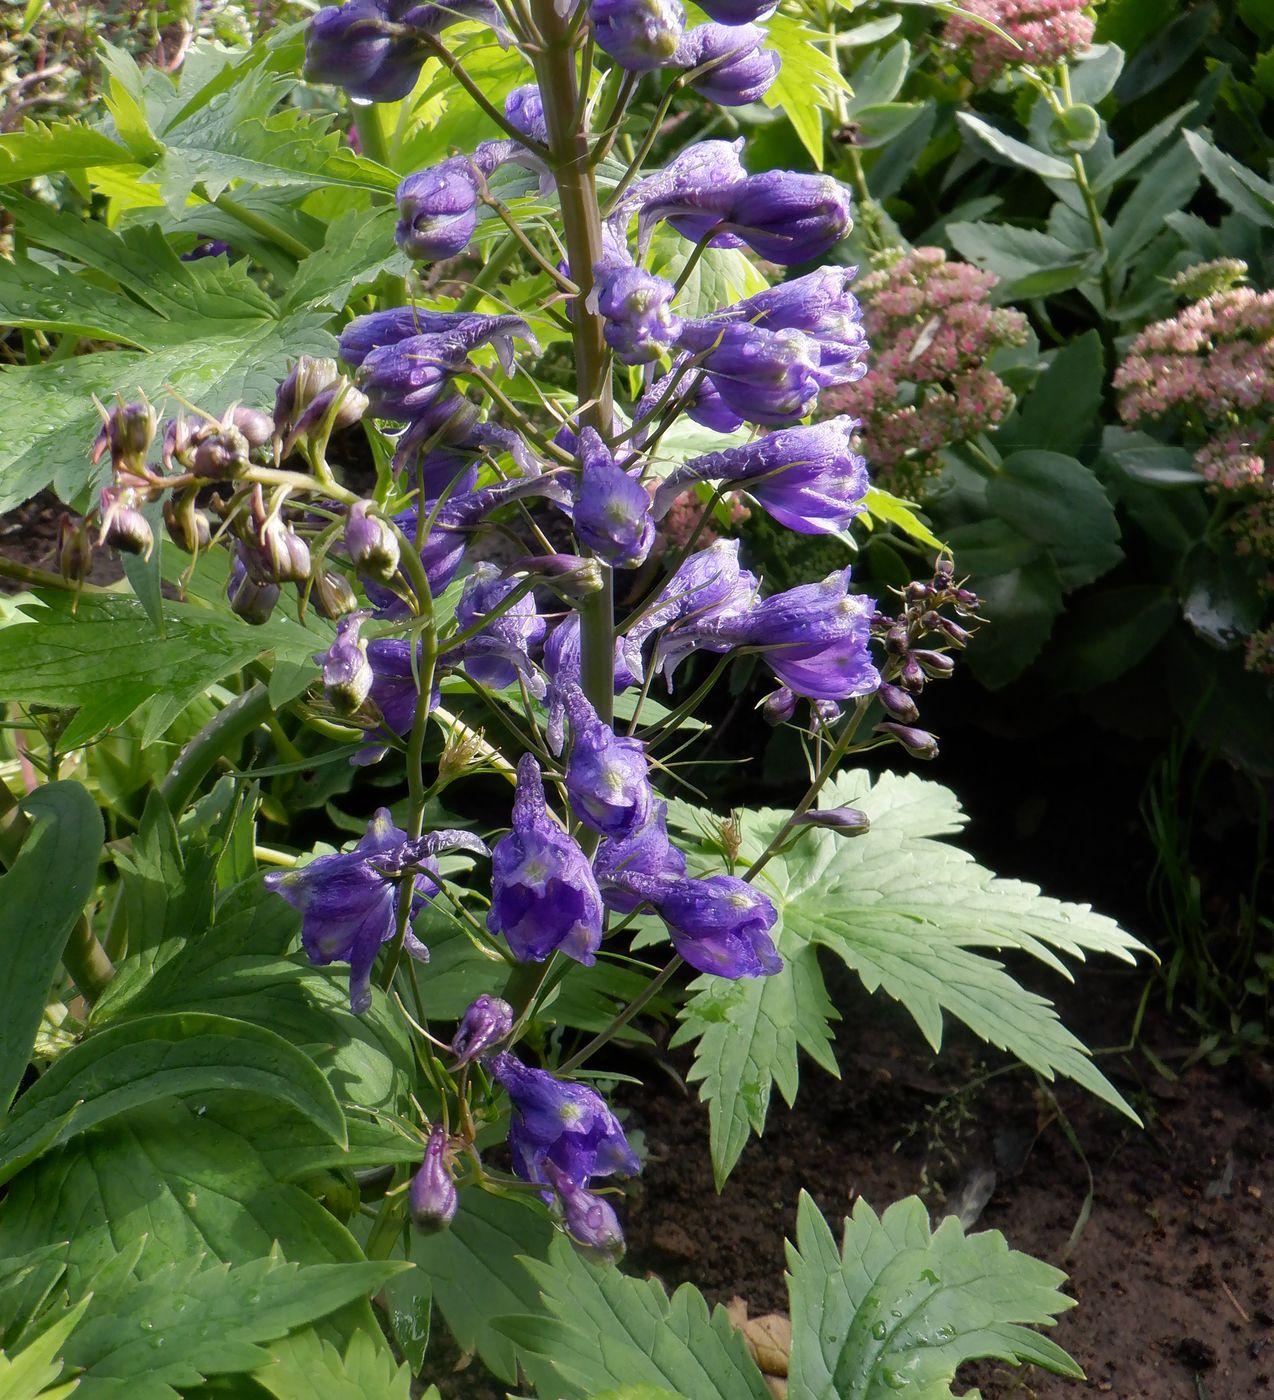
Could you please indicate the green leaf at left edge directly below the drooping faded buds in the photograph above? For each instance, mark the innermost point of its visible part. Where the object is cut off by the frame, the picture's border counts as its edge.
(101, 653)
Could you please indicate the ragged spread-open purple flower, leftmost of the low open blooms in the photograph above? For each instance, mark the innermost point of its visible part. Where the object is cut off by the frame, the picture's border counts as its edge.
(351, 902)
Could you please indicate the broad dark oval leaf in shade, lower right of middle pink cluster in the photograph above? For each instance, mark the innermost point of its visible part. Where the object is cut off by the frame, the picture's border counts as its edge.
(1062, 506)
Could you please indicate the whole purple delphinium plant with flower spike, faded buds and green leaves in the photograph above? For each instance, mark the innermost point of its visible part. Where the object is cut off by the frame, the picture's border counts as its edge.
(388, 1056)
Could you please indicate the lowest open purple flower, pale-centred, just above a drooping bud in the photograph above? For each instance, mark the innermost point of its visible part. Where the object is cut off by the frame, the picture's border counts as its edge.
(561, 1125)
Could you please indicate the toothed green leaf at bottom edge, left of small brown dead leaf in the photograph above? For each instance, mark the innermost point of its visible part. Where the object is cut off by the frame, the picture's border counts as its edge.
(605, 1331)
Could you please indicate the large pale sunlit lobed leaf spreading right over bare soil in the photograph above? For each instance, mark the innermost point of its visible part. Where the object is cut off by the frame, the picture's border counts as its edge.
(912, 916)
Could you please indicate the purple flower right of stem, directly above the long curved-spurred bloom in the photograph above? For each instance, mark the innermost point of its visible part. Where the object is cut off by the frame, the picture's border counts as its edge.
(764, 376)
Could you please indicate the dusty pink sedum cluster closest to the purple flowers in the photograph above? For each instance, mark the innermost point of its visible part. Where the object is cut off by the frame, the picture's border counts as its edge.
(932, 330)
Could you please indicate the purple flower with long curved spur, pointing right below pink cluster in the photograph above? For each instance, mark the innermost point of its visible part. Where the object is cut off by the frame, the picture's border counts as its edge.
(807, 478)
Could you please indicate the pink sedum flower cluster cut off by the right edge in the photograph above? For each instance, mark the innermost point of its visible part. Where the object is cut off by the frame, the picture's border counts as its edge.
(1212, 369)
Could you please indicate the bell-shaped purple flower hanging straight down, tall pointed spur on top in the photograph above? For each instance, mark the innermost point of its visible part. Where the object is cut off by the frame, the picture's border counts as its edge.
(544, 894)
